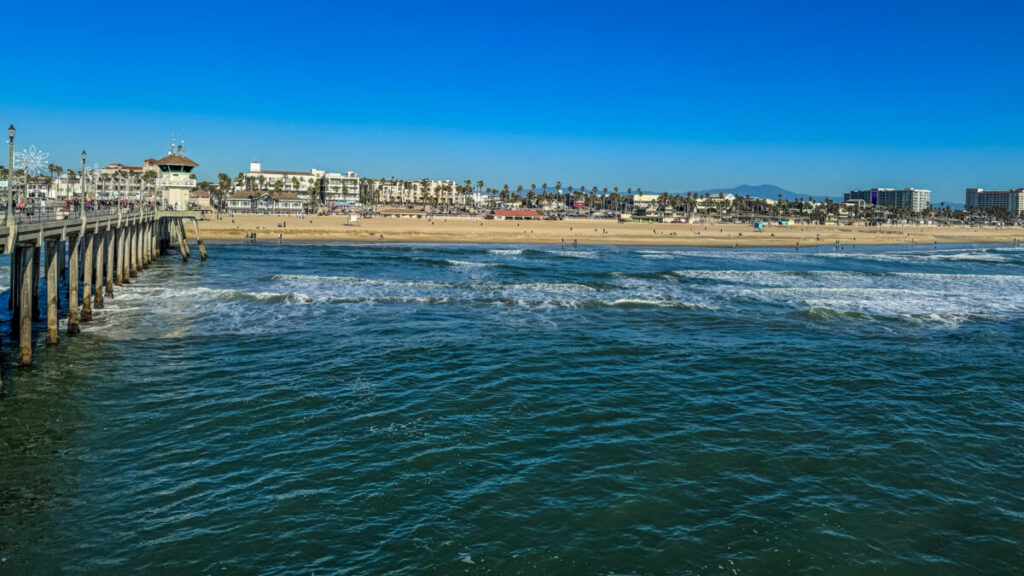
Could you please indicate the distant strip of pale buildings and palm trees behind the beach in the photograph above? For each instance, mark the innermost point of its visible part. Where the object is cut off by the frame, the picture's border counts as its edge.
(170, 182)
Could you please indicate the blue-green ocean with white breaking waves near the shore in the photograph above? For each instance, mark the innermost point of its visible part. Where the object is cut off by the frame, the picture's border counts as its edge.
(442, 409)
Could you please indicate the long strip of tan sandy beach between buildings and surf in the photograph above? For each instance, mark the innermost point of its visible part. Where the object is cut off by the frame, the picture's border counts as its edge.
(479, 231)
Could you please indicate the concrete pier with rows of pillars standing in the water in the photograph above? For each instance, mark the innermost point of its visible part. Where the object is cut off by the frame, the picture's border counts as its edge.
(83, 256)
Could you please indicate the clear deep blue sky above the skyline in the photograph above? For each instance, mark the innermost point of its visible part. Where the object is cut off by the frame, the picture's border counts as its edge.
(819, 98)
